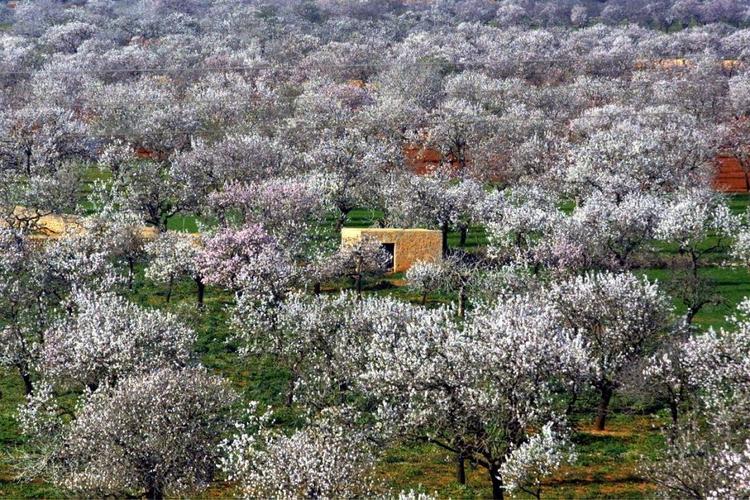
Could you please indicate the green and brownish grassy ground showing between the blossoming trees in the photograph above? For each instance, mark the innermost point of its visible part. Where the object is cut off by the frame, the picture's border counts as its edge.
(607, 463)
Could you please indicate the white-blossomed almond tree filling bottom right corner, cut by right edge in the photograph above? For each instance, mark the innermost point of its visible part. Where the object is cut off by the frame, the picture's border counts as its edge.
(706, 456)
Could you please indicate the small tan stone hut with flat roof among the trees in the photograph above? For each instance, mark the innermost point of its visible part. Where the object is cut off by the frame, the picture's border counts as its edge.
(406, 246)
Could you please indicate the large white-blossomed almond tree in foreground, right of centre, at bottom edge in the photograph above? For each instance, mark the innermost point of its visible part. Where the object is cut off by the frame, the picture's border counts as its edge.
(434, 387)
